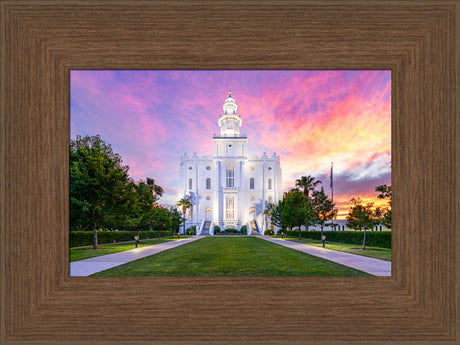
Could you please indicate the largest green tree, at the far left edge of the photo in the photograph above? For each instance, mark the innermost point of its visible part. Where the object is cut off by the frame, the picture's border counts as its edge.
(98, 183)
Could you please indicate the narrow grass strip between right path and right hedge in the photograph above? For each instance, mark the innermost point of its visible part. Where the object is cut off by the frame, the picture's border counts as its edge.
(373, 252)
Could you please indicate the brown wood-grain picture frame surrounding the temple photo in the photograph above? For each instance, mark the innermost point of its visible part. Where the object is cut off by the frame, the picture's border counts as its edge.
(42, 41)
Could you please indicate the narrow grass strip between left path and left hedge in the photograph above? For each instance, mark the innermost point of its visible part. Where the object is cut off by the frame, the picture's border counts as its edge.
(87, 252)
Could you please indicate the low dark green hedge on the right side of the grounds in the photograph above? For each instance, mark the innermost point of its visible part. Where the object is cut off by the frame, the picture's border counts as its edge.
(380, 239)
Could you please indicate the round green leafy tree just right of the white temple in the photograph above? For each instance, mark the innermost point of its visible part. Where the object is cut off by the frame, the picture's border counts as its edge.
(296, 210)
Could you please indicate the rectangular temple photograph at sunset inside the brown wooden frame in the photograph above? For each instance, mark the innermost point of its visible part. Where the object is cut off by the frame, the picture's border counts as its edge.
(184, 155)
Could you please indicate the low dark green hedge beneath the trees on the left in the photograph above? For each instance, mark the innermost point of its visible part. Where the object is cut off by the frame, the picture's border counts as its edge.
(85, 238)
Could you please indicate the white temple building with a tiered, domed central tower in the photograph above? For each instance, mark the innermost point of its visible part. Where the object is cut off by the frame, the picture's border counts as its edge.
(230, 188)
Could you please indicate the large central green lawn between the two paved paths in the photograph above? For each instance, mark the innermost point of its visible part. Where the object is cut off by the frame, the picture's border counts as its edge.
(231, 256)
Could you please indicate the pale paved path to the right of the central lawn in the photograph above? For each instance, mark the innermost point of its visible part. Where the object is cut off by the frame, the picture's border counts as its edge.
(372, 266)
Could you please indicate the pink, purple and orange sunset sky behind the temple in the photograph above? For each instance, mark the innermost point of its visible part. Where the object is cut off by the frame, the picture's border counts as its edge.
(309, 118)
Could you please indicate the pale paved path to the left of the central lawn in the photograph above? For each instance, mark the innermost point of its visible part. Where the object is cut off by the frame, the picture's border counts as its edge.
(87, 267)
